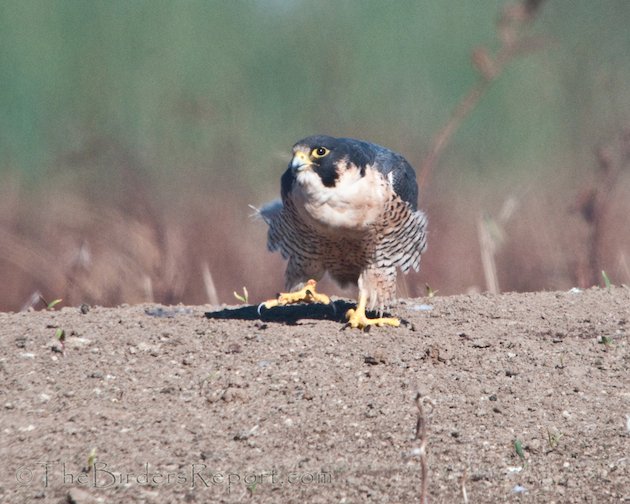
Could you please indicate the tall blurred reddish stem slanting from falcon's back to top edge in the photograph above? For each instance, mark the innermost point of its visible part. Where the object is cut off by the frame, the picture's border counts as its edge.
(511, 46)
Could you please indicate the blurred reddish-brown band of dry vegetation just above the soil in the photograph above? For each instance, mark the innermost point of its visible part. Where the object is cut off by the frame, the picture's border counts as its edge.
(141, 243)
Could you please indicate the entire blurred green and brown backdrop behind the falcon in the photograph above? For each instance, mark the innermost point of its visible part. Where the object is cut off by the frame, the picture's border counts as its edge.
(156, 207)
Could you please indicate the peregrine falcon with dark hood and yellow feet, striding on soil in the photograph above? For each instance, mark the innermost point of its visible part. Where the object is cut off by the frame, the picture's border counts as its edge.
(349, 208)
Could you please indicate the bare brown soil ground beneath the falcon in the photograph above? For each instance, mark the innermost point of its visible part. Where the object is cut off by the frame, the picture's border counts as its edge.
(527, 398)
